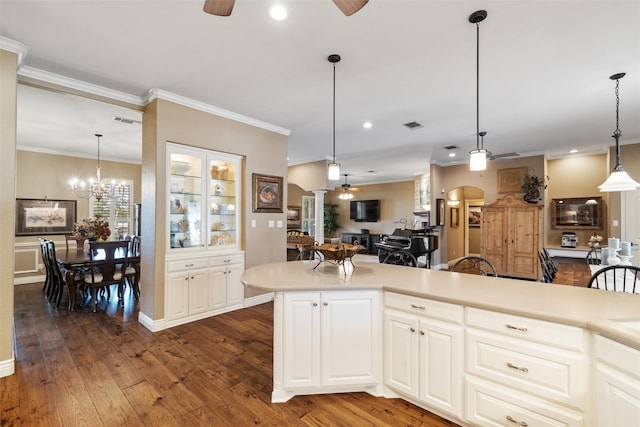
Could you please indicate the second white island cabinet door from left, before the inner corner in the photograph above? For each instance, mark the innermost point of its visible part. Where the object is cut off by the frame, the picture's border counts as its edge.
(350, 350)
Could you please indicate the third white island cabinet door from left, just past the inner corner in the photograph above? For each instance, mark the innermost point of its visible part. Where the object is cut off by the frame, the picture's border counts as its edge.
(401, 352)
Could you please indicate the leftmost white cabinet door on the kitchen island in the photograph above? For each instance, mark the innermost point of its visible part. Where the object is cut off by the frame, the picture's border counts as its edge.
(302, 339)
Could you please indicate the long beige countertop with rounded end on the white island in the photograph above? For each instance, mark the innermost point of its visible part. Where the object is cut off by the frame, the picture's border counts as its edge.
(597, 310)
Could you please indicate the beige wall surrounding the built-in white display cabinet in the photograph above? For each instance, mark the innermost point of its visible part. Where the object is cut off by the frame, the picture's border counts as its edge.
(264, 152)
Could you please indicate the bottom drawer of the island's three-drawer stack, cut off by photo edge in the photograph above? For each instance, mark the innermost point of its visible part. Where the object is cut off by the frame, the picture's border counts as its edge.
(491, 405)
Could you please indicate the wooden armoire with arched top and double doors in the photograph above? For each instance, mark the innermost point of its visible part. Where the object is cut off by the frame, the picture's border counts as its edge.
(511, 237)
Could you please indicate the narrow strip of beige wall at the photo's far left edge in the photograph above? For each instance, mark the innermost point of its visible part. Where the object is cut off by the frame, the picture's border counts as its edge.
(8, 89)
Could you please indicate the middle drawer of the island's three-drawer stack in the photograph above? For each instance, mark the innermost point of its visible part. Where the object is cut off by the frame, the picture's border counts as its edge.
(549, 372)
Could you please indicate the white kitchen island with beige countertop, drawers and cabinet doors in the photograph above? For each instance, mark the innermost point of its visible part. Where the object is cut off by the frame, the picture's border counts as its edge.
(475, 350)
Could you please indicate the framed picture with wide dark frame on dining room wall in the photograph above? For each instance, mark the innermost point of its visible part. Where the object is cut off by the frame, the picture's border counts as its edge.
(43, 216)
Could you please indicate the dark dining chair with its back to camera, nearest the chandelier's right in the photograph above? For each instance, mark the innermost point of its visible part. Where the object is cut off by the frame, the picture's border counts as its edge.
(108, 261)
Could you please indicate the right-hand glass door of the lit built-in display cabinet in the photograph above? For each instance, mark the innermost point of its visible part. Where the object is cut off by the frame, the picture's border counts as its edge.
(223, 201)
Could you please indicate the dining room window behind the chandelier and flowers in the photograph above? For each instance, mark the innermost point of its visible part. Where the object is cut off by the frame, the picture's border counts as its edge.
(117, 210)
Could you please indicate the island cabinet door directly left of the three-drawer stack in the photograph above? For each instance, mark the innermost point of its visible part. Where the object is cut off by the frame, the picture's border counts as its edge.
(441, 361)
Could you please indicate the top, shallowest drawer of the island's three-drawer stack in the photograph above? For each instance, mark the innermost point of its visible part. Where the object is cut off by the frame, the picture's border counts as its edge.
(564, 336)
